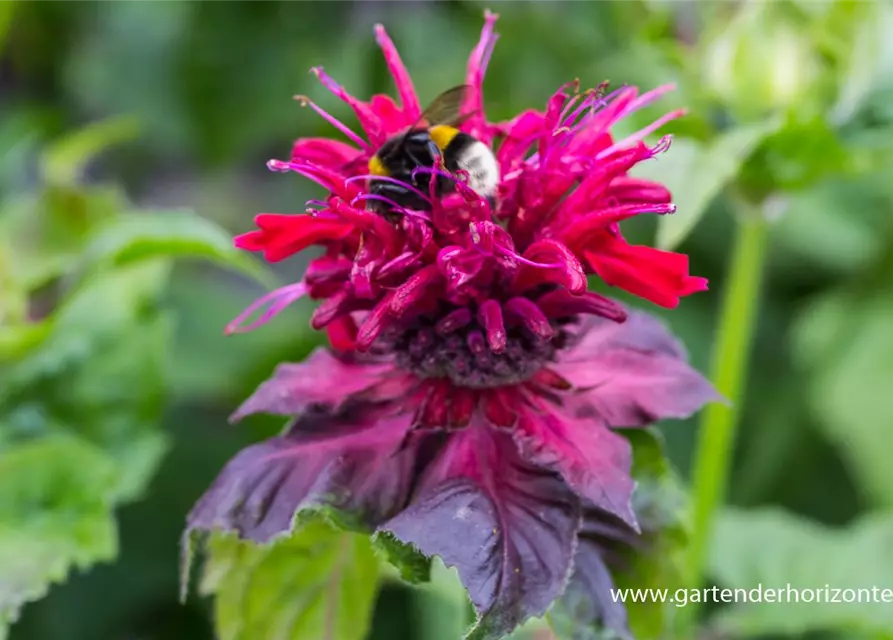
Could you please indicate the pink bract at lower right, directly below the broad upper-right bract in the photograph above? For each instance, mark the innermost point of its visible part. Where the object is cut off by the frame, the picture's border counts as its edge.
(593, 459)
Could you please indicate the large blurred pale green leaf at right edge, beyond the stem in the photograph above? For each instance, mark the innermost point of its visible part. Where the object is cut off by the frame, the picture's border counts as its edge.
(844, 340)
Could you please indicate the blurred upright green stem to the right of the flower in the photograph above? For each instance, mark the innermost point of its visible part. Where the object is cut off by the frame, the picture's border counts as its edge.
(731, 358)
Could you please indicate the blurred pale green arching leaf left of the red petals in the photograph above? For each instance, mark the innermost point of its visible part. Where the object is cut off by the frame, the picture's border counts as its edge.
(148, 234)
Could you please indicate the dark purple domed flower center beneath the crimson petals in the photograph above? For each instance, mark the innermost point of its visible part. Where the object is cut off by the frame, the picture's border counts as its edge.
(466, 359)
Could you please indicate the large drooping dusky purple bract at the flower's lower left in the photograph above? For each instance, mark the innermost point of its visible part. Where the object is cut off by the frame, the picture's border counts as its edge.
(353, 463)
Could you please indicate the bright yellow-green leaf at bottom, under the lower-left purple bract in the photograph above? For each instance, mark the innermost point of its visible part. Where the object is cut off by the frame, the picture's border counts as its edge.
(317, 583)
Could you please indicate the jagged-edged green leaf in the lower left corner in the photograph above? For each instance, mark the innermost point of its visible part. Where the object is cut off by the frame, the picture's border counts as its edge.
(55, 514)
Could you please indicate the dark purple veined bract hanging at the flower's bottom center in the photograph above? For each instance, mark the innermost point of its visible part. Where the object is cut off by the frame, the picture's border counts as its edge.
(508, 527)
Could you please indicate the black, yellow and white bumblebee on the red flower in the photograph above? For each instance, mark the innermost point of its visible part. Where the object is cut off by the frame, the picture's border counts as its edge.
(433, 140)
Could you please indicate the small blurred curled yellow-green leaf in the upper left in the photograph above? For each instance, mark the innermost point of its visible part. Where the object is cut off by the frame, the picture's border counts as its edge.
(63, 163)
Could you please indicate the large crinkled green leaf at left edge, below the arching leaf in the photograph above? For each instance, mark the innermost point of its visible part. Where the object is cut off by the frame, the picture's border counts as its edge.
(97, 369)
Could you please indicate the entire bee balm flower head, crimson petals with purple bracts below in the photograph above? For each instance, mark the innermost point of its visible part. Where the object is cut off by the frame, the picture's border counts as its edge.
(471, 402)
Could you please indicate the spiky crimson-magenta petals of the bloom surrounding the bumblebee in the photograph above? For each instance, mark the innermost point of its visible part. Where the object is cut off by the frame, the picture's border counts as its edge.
(564, 188)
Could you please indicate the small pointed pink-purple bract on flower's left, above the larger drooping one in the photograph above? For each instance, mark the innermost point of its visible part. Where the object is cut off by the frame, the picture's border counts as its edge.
(322, 381)
